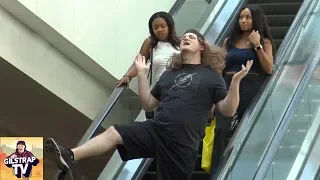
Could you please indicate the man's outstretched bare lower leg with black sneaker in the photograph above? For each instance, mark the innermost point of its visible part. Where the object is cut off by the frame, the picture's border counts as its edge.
(98, 145)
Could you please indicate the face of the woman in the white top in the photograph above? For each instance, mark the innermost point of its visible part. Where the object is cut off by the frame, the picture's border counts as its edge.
(160, 29)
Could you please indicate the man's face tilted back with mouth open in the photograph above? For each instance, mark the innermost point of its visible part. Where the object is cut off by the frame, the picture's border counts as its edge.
(190, 42)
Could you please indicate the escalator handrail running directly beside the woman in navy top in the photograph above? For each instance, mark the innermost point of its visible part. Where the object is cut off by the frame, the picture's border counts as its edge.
(260, 100)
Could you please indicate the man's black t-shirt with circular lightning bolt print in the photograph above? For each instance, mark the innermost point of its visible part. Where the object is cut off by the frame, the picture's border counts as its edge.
(186, 97)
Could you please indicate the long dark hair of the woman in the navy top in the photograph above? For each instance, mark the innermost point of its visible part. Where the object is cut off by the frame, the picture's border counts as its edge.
(259, 23)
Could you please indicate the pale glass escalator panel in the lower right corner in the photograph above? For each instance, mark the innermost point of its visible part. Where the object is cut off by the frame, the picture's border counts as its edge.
(294, 138)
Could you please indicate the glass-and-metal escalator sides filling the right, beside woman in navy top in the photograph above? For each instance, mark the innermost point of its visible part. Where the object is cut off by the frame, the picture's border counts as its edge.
(278, 127)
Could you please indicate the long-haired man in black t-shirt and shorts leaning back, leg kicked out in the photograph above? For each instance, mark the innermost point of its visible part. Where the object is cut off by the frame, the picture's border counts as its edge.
(184, 96)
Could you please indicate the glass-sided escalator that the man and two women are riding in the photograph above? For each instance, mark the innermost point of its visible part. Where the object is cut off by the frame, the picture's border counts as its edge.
(256, 120)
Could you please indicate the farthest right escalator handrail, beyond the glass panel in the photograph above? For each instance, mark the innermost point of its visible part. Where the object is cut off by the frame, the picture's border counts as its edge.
(281, 129)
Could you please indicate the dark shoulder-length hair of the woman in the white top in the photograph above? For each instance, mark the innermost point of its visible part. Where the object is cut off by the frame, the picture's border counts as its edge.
(172, 37)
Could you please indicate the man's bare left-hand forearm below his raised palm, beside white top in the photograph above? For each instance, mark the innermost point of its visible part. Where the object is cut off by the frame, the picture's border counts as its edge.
(149, 103)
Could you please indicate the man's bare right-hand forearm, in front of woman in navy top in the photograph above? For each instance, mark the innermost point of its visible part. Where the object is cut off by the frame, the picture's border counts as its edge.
(228, 106)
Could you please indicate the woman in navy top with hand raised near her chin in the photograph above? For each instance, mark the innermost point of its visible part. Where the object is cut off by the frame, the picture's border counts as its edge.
(250, 39)
